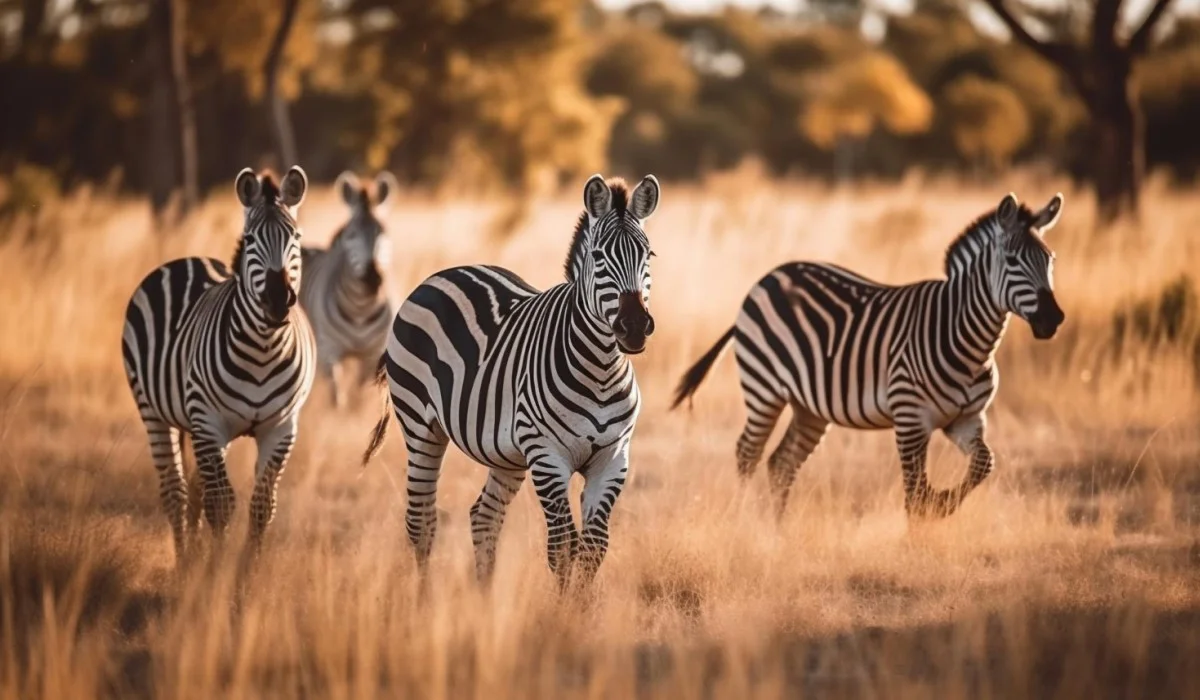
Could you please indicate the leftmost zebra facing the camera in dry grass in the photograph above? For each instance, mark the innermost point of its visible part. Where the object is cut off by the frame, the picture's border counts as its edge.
(217, 354)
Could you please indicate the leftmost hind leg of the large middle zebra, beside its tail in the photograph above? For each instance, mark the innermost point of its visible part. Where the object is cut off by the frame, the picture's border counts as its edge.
(427, 446)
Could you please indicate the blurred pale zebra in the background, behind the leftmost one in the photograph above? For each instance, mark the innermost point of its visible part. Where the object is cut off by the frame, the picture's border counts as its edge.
(344, 290)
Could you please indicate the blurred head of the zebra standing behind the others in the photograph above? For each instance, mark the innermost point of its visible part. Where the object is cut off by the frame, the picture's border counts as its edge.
(364, 241)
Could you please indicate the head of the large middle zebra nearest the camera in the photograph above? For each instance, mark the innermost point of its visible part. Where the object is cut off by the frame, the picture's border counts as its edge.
(611, 258)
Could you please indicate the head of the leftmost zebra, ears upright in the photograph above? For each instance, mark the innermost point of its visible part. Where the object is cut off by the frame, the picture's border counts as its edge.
(268, 260)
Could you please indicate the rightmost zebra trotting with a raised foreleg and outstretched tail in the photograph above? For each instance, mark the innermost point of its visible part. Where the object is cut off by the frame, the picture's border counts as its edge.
(916, 358)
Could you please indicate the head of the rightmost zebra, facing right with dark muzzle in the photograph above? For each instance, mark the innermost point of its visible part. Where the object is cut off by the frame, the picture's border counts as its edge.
(1027, 274)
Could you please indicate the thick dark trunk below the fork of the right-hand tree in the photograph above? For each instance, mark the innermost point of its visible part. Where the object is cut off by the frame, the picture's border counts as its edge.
(1119, 159)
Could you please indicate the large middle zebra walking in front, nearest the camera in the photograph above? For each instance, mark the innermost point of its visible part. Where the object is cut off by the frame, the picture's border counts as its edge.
(526, 381)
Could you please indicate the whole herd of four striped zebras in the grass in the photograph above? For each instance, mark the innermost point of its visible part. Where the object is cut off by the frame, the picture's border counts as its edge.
(541, 382)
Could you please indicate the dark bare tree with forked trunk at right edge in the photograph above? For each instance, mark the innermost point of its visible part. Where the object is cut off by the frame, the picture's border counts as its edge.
(1101, 69)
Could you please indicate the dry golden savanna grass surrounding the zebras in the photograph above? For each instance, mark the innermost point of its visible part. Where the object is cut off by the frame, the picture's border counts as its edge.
(1075, 572)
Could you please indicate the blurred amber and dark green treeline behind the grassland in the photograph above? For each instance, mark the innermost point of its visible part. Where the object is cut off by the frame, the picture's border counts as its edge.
(520, 94)
